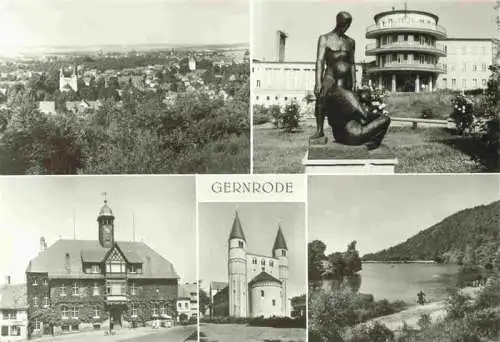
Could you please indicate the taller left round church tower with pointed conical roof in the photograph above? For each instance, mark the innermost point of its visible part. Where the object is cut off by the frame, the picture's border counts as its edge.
(237, 255)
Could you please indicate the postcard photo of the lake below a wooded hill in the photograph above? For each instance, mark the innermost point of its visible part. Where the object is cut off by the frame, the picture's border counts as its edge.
(422, 264)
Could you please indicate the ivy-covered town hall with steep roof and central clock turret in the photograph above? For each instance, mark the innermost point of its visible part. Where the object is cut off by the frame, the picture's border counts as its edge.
(76, 285)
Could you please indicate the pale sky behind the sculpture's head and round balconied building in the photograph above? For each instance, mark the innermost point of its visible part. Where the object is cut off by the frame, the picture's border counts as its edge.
(304, 21)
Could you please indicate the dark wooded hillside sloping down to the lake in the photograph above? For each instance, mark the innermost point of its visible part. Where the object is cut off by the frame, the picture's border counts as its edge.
(470, 236)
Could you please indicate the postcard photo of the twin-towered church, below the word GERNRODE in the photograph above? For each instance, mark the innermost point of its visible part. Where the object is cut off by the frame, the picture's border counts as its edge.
(252, 271)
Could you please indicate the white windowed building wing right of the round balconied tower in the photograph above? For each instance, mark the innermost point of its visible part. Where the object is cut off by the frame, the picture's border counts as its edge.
(467, 63)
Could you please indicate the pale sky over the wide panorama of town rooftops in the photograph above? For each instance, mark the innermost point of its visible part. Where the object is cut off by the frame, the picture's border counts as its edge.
(99, 22)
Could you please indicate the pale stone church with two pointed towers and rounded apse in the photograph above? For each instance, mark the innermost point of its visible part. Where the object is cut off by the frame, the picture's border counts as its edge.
(257, 283)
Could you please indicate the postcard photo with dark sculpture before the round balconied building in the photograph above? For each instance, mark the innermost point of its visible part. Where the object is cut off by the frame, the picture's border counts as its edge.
(418, 93)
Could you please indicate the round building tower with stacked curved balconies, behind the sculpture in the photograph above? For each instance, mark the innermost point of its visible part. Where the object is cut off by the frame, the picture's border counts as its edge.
(406, 50)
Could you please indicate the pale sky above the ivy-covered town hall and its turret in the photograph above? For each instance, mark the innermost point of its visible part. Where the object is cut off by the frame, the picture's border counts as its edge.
(31, 207)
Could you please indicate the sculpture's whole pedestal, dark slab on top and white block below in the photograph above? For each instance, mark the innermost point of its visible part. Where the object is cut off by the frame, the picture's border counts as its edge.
(334, 158)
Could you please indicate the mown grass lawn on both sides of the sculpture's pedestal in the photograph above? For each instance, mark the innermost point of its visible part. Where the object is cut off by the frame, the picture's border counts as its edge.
(424, 150)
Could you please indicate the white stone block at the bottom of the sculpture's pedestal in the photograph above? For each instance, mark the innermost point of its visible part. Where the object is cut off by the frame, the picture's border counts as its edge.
(349, 166)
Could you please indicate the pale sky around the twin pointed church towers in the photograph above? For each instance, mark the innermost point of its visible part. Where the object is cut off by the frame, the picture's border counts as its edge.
(260, 225)
